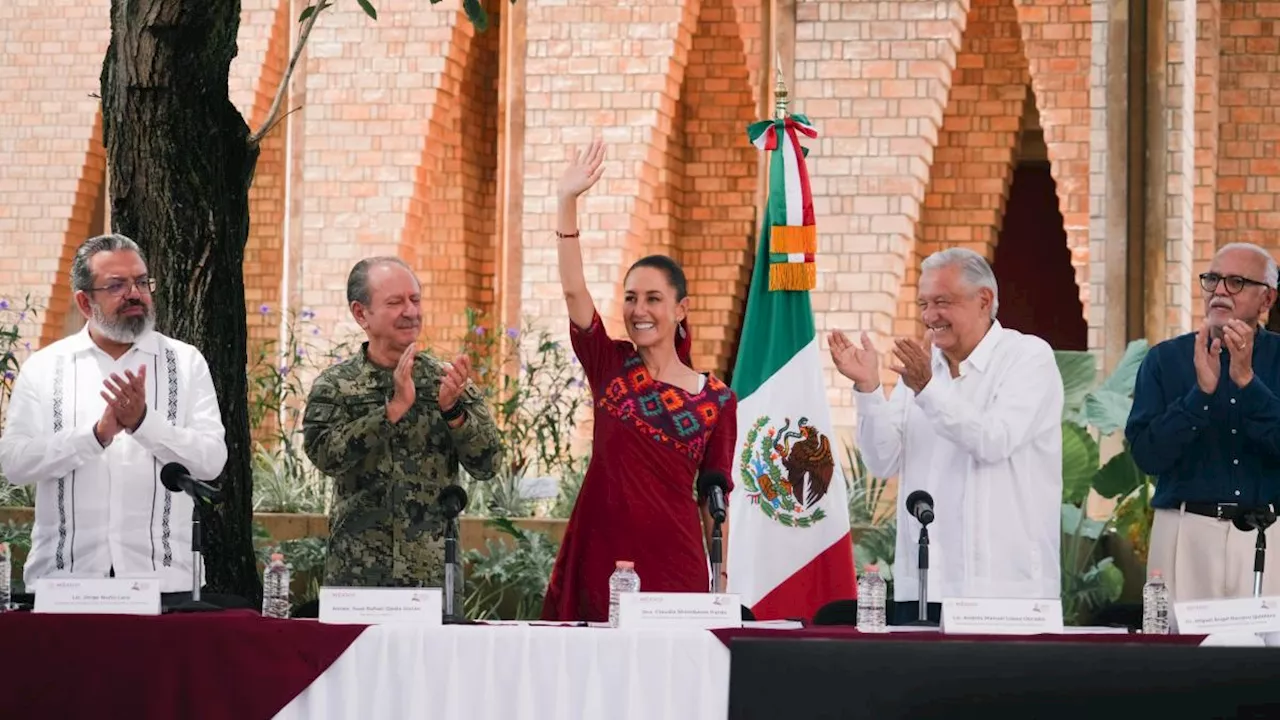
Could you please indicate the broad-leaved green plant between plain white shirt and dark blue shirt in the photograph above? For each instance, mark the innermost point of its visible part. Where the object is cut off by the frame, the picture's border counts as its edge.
(1094, 412)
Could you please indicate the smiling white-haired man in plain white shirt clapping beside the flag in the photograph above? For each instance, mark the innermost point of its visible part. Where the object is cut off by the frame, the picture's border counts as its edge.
(976, 422)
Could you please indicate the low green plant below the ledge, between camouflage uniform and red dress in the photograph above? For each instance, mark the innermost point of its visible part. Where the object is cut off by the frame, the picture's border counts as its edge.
(510, 582)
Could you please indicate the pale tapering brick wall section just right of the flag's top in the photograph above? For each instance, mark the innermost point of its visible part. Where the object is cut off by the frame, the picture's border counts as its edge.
(875, 79)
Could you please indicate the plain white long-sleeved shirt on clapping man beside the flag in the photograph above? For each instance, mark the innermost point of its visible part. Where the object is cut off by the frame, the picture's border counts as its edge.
(988, 445)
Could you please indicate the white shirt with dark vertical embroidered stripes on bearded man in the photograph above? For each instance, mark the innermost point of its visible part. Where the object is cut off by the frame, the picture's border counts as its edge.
(102, 509)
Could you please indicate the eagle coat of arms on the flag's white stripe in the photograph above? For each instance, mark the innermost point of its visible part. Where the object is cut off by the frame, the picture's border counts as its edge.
(788, 471)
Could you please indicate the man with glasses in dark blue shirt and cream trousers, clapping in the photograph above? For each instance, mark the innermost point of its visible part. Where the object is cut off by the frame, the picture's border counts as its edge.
(1206, 423)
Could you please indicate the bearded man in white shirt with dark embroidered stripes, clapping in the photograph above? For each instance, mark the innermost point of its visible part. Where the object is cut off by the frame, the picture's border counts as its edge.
(93, 421)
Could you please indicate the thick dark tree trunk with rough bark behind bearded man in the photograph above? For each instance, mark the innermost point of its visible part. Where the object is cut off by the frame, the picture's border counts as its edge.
(181, 167)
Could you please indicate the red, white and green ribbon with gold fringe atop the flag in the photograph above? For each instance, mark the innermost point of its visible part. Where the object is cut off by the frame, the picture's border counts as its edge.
(793, 233)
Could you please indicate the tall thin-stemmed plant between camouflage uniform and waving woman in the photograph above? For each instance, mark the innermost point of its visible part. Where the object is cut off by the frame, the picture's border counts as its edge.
(536, 389)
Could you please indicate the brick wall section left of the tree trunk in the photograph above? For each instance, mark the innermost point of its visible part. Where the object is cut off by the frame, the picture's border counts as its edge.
(52, 158)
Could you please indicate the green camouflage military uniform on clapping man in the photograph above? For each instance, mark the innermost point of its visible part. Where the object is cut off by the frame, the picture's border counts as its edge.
(386, 528)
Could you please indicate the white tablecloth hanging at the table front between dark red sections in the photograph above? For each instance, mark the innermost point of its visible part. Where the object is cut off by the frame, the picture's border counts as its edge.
(522, 673)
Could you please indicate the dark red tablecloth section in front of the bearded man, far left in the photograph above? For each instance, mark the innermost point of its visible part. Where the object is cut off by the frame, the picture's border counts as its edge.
(232, 666)
